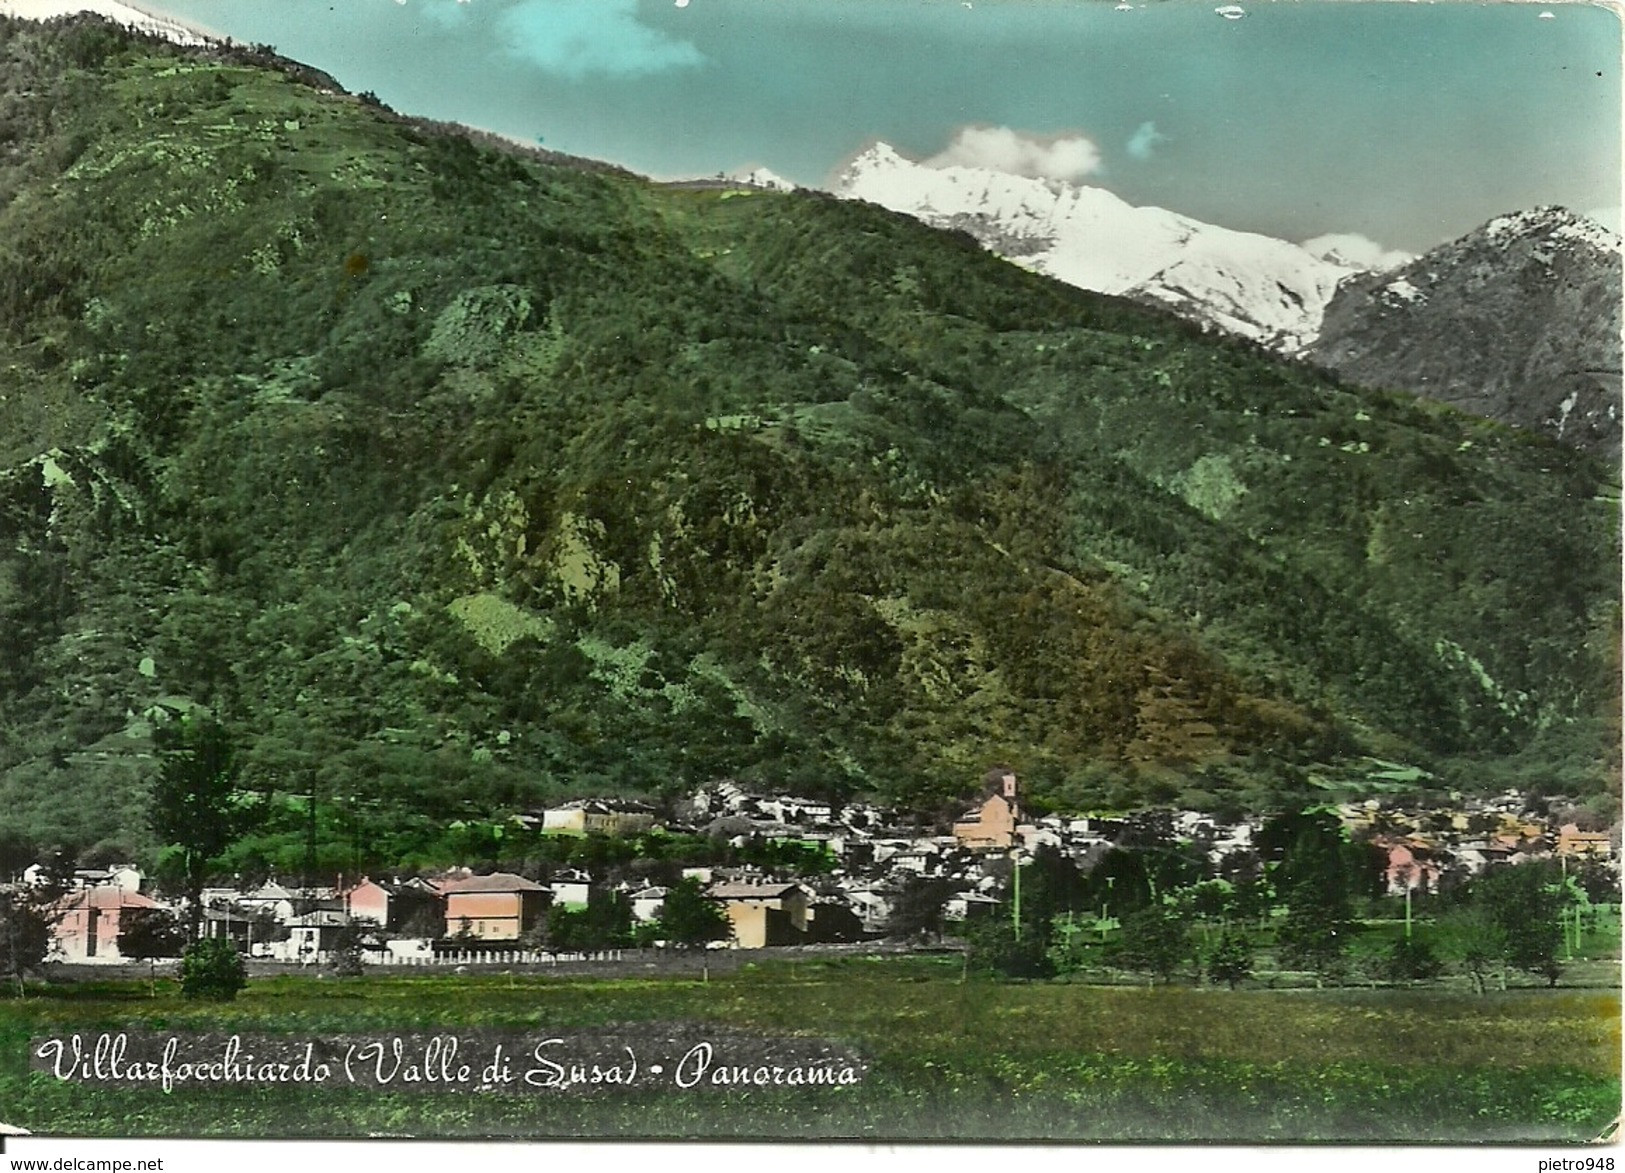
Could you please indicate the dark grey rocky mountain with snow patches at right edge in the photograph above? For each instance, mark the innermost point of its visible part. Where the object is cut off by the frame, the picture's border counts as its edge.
(1519, 321)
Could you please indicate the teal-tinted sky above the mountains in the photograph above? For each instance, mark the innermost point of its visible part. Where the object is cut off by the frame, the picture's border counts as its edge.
(1405, 123)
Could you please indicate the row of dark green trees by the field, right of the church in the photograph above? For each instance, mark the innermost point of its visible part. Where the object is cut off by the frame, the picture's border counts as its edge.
(1309, 901)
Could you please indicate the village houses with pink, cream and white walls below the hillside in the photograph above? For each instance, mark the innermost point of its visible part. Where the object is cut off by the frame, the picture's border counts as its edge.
(461, 917)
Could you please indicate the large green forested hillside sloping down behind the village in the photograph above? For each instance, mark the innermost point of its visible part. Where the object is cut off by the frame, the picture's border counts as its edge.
(470, 477)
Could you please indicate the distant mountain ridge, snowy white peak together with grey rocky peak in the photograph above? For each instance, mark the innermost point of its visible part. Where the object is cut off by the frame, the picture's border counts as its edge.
(1562, 378)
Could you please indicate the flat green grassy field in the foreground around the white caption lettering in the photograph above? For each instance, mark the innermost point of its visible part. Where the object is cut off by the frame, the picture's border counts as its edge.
(947, 1058)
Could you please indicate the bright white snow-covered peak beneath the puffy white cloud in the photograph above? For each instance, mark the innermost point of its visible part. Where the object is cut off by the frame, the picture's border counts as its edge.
(1246, 284)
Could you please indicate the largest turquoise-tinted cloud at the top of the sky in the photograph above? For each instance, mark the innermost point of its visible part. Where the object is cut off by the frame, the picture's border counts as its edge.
(581, 38)
